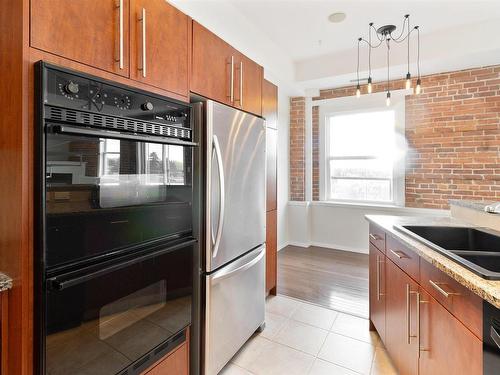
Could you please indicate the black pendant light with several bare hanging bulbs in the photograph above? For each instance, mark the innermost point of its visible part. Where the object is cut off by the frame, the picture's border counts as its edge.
(385, 34)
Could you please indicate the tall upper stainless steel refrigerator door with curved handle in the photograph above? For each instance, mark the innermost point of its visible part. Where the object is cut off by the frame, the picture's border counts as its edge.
(236, 184)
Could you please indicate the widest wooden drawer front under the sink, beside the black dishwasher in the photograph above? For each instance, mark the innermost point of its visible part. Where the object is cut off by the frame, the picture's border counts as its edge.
(457, 299)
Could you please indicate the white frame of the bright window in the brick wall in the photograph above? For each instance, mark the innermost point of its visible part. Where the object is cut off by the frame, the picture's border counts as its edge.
(352, 105)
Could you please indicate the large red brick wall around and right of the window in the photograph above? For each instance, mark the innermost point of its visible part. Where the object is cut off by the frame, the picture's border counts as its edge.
(453, 132)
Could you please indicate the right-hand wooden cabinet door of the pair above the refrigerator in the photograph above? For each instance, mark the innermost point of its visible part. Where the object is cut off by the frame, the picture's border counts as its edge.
(248, 85)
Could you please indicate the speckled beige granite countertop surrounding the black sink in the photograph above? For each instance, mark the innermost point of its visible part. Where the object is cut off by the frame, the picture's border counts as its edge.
(488, 290)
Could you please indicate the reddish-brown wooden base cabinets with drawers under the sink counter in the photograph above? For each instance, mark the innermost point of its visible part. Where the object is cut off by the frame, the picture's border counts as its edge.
(423, 334)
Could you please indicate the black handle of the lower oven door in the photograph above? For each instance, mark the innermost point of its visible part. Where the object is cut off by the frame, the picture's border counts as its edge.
(71, 279)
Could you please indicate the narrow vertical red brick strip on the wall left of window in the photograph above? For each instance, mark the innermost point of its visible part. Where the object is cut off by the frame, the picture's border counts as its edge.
(297, 148)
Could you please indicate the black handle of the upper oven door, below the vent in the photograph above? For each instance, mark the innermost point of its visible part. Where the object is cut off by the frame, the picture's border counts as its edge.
(75, 130)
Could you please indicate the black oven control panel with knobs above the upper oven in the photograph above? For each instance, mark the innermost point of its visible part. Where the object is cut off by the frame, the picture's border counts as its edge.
(84, 93)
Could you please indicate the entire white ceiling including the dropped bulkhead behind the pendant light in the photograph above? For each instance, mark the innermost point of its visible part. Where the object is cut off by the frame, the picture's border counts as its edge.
(284, 35)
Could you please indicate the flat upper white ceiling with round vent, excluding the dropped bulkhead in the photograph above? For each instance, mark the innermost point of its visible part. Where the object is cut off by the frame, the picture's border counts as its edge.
(299, 26)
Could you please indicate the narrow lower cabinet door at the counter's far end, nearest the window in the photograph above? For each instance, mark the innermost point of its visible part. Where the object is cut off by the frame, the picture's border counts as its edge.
(377, 290)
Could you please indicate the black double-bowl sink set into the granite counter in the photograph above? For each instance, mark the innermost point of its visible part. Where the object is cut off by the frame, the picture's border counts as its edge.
(474, 248)
